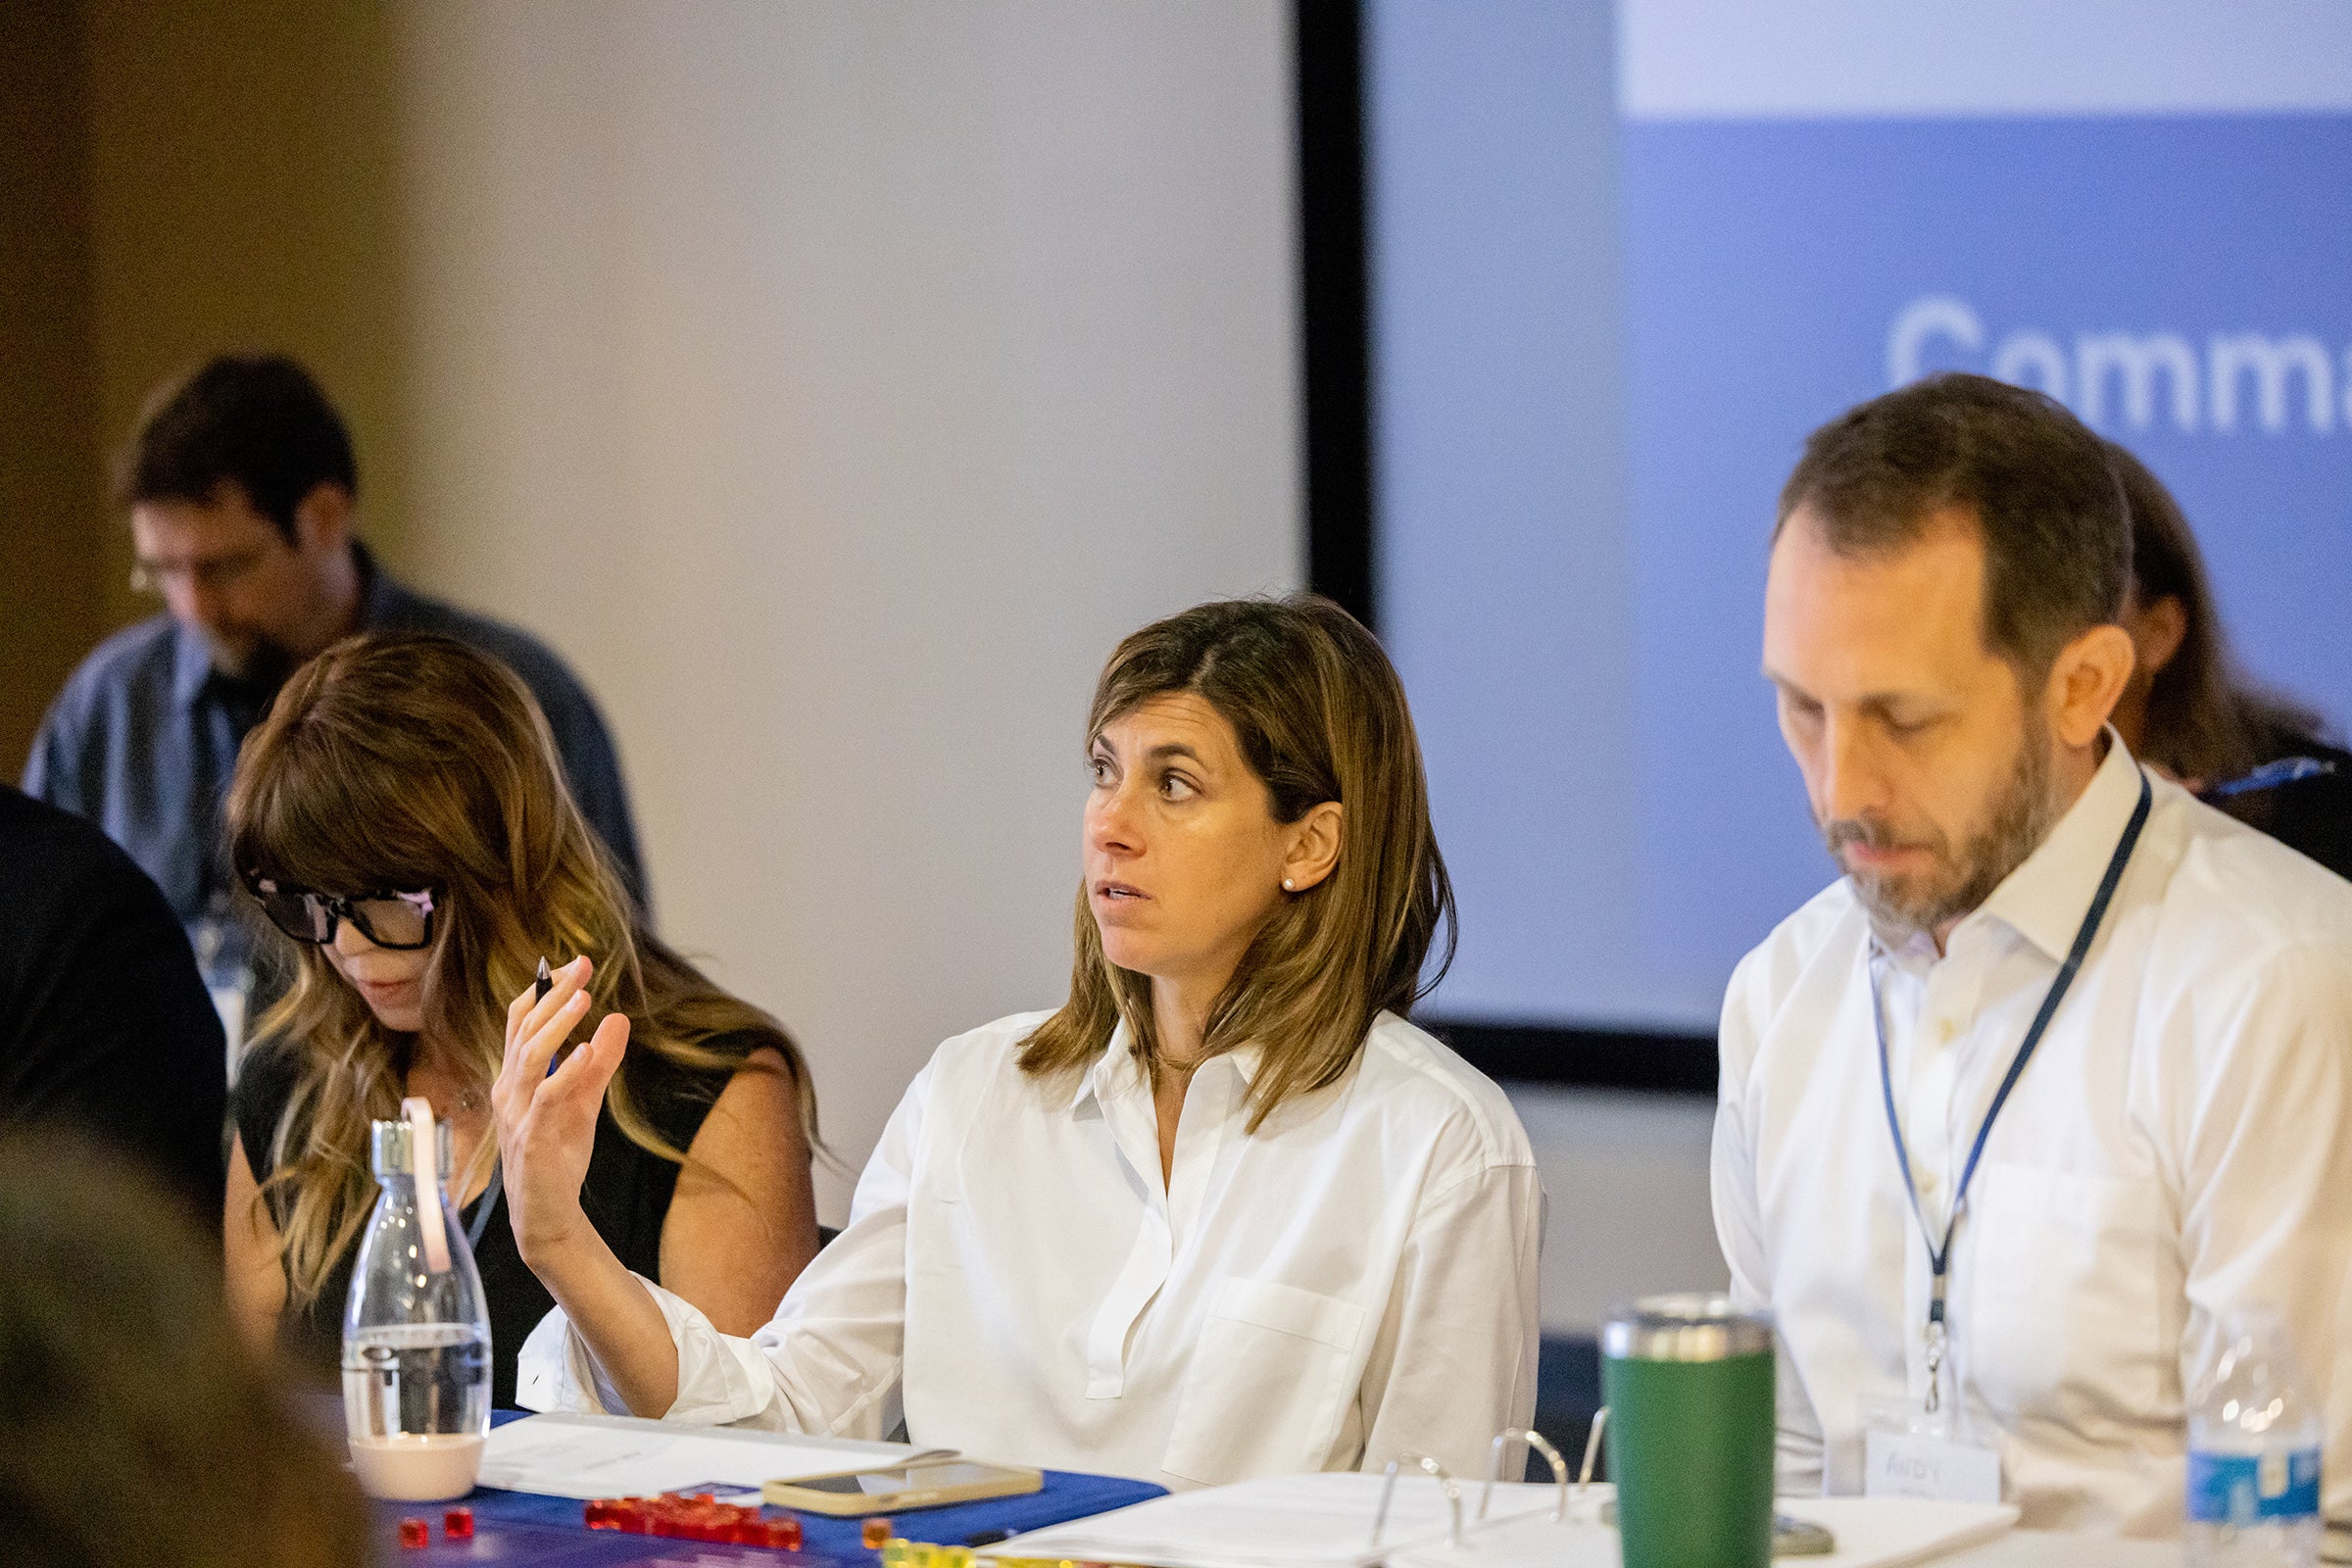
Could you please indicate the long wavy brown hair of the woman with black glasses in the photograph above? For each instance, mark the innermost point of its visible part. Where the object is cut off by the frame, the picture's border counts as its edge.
(417, 763)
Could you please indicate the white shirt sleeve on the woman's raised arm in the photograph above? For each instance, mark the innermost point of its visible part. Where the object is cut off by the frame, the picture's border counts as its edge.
(829, 1360)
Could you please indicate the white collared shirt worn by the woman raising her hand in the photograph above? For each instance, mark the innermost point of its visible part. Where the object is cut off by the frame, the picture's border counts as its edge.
(1349, 1285)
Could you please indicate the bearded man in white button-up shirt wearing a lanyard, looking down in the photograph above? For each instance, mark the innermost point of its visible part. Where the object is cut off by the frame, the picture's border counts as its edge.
(2179, 1146)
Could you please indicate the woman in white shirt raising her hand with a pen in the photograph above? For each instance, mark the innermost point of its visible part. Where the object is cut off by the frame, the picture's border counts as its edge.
(1224, 1214)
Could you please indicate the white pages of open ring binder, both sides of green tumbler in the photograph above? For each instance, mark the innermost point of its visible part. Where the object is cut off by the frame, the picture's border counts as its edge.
(1325, 1522)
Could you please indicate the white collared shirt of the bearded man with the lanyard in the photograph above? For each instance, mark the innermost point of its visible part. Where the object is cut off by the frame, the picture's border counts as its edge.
(2179, 1146)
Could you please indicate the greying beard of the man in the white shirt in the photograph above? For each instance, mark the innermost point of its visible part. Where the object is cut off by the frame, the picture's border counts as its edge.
(1906, 909)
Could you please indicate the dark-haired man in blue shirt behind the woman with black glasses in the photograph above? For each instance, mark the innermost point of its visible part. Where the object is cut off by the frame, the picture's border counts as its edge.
(243, 492)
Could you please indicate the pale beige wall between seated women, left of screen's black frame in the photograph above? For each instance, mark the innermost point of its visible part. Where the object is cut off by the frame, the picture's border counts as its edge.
(834, 384)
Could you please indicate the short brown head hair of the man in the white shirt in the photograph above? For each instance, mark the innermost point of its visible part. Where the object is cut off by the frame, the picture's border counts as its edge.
(2033, 476)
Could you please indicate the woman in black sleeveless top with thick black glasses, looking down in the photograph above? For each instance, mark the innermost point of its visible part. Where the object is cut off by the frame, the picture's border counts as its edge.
(403, 826)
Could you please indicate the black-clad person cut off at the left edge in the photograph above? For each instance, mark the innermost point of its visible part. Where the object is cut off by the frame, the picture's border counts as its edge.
(105, 1024)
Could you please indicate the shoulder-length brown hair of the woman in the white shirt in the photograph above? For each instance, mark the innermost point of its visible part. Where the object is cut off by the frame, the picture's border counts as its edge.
(1321, 718)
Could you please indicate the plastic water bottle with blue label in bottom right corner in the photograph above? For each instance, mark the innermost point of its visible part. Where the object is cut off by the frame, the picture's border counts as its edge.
(2254, 1454)
